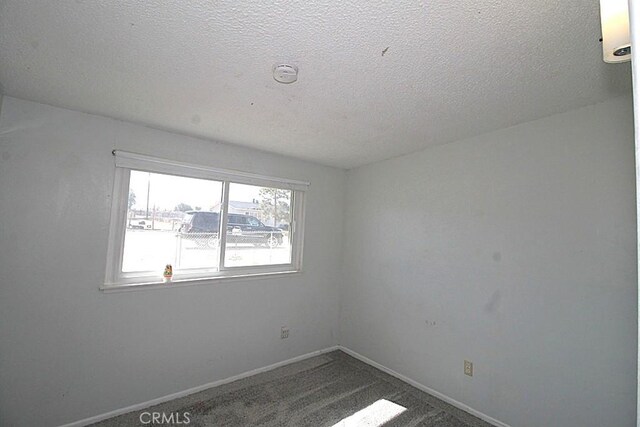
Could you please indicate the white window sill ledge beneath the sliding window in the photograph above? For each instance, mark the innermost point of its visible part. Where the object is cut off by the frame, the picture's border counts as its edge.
(129, 287)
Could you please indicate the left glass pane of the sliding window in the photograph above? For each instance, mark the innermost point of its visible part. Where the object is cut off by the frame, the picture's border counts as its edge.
(171, 220)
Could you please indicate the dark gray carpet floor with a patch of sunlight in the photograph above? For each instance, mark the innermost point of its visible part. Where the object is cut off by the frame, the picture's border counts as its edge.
(325, 390)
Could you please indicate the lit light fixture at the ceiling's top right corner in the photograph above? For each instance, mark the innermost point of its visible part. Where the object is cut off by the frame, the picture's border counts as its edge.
(616, 42)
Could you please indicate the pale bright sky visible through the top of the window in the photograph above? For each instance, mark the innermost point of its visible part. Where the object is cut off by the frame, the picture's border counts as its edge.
(167, 191)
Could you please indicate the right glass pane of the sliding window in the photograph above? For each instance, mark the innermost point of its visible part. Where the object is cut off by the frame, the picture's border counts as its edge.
(258, 226)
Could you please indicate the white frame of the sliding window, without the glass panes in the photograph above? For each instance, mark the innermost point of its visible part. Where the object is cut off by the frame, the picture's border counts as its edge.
(125, 162)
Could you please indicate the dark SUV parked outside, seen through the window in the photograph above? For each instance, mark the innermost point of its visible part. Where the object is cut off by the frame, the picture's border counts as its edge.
(203, 226)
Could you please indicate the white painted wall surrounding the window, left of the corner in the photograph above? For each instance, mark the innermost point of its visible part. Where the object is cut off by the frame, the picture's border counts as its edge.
(70, 351)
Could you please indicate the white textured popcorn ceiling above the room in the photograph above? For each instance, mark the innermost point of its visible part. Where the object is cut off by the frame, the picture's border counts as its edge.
(377, 78)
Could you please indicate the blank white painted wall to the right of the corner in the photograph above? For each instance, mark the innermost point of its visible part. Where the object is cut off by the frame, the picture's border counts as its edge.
(515, 250)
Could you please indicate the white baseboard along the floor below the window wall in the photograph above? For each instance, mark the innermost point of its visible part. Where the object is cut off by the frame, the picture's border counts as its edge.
(197, 389)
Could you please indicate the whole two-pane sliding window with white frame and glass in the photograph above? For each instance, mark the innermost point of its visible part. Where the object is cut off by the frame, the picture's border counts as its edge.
(205, 223)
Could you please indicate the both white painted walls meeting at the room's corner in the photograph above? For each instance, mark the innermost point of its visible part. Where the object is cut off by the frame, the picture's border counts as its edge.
(514, 249)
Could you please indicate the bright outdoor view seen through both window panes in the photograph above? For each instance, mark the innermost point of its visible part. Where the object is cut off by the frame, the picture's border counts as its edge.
(176, 220)
